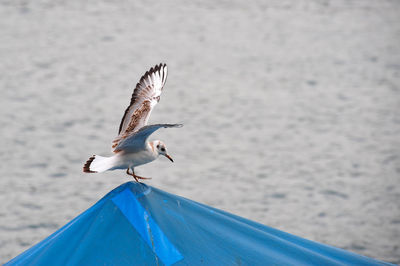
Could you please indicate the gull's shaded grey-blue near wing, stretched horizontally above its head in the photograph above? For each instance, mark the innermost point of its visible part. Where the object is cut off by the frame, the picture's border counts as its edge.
(136, 141)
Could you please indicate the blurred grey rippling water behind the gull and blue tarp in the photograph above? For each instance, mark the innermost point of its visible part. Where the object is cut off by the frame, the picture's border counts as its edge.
(291, 112)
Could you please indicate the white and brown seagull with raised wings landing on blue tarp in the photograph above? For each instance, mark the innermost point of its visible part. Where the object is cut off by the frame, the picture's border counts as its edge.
(131, 147)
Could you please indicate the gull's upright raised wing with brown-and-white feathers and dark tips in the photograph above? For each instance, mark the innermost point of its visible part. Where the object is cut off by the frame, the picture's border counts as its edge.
(145, 96)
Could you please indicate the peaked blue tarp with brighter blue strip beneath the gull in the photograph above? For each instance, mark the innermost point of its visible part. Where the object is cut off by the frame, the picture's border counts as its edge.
(136, 224)
